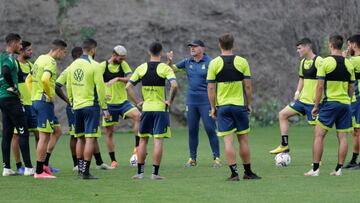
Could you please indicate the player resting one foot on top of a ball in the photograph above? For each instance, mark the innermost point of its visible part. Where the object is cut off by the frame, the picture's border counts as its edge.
(305, 92)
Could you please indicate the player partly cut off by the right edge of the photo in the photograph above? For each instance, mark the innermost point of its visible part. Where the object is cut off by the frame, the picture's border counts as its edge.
(354, 47)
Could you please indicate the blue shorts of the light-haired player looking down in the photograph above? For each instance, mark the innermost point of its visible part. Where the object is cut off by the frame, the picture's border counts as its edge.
(117, 110)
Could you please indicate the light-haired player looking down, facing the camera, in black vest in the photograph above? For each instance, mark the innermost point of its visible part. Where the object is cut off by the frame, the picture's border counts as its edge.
(116, 73)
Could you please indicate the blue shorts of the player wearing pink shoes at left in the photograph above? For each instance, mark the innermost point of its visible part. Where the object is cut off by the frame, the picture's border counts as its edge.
(46, 119)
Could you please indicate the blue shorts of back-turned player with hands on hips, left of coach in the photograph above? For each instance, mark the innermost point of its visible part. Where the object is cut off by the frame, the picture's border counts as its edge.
(155, 123)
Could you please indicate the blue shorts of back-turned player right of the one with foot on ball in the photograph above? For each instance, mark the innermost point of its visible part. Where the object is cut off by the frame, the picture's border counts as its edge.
(335, 112)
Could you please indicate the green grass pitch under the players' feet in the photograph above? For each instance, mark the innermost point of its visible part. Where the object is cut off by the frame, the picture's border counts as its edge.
(199, 184)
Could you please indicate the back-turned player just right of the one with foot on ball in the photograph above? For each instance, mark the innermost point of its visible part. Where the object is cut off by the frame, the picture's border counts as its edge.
(336, 82)
